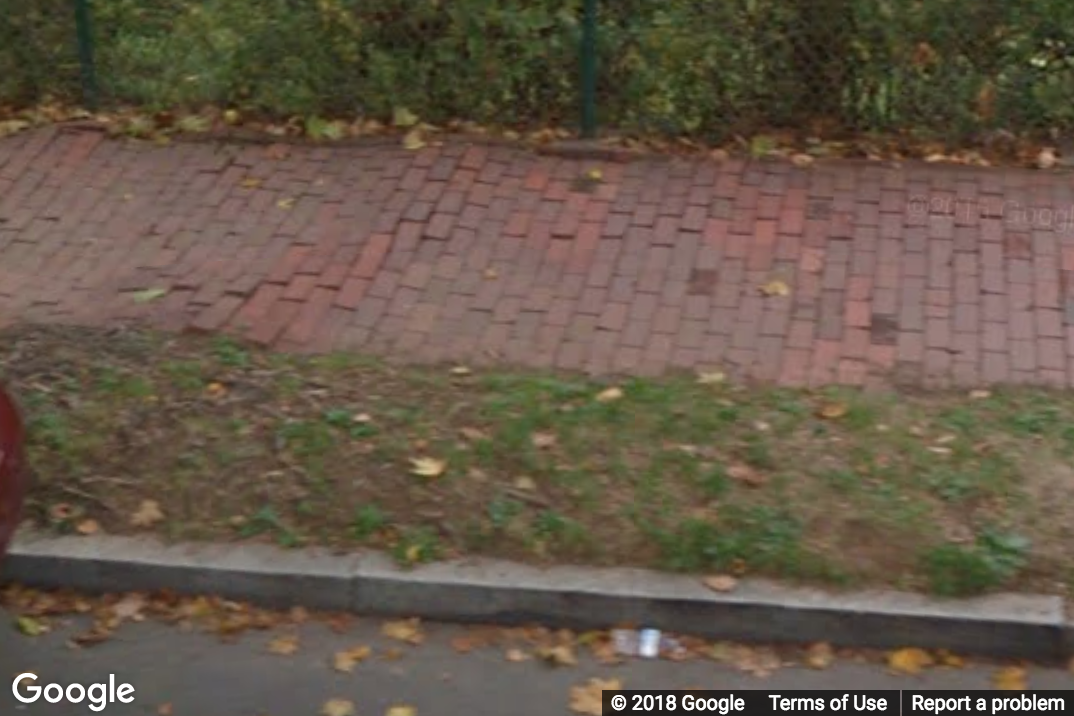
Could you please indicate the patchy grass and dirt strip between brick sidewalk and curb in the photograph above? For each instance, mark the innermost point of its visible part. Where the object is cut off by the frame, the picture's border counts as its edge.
(209, 439)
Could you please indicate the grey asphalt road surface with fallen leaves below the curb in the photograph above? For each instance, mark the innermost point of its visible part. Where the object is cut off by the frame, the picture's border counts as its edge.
(184, 674)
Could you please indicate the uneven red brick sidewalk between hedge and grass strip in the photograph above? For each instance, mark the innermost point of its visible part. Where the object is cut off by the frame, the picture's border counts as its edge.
(924, 275)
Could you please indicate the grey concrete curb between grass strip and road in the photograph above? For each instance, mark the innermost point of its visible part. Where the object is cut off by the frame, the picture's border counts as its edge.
(1022, 626)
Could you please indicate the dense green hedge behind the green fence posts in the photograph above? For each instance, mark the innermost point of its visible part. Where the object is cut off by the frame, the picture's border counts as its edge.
(679, 67)
